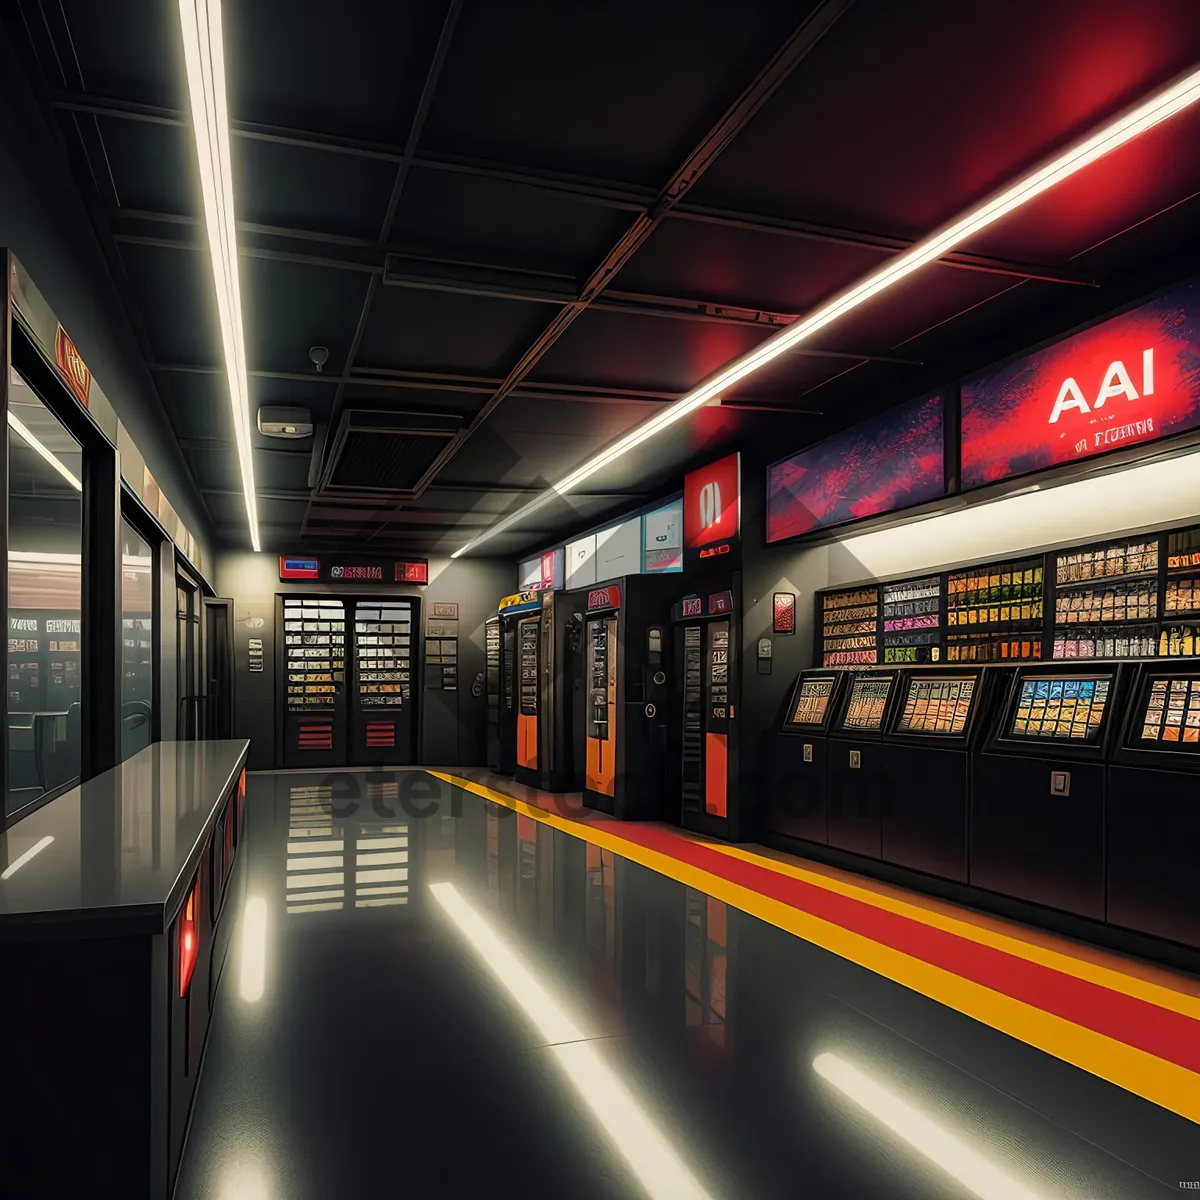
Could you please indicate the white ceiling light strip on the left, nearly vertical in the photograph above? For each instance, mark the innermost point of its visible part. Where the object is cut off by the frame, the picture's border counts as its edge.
(205, 56)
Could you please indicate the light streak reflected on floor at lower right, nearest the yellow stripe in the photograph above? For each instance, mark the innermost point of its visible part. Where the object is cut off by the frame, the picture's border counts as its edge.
(926, 1136)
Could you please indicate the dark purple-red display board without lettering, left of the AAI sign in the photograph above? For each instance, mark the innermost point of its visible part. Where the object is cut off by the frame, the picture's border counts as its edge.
(892, 461)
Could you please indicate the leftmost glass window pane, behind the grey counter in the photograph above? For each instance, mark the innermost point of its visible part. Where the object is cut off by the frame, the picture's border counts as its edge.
(45, 609)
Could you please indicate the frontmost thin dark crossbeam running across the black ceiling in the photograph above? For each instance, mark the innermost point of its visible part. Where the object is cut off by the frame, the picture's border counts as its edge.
(605, 194)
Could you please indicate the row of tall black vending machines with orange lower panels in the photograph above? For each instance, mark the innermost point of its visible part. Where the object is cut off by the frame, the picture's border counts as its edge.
(627, 693)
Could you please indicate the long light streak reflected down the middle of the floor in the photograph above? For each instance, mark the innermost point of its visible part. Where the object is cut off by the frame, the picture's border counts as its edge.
(652, 1159)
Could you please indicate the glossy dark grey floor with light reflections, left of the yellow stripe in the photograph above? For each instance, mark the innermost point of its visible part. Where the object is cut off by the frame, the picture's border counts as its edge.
(469, 1001)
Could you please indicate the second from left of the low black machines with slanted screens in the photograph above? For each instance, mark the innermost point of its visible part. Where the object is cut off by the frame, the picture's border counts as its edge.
(856, 764)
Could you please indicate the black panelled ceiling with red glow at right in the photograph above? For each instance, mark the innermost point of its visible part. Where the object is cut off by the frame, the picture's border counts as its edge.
(547, 221)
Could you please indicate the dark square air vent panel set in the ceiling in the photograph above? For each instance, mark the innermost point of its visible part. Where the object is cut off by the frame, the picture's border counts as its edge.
(388, 455)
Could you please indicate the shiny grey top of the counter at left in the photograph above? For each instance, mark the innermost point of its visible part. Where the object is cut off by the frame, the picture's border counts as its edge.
(121, 848)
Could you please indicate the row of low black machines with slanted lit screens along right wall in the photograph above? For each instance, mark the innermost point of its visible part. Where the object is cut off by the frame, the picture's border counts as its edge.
(1075, 787)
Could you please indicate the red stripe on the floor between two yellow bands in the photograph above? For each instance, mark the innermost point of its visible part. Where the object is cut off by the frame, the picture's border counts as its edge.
(1129, 1019)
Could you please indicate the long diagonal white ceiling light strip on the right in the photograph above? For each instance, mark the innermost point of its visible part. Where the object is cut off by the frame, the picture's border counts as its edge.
(1143, 117)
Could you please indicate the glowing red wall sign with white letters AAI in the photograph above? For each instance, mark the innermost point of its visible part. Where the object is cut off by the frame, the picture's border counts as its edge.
(1132, 379)
